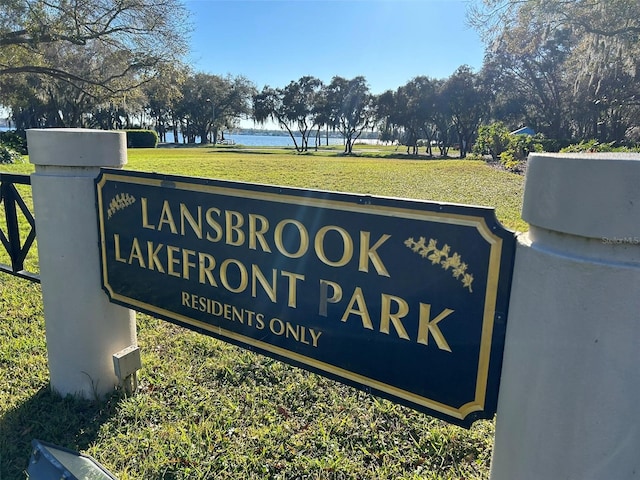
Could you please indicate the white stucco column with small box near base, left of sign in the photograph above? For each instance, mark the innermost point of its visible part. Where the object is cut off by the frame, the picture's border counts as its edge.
(83, 329)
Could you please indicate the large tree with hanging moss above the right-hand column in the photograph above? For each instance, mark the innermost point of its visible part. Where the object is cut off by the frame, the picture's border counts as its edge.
(601, 65)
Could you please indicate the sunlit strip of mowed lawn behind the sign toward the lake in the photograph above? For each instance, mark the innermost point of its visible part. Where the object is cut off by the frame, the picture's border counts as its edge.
(376, 171)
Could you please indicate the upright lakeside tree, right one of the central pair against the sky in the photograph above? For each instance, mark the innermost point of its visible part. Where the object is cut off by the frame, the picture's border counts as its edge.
(351, 109)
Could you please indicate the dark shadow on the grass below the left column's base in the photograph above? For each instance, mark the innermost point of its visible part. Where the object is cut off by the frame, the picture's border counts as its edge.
(67, 422)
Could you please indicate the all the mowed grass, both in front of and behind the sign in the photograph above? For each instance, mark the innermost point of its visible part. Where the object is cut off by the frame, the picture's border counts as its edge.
(206, 409)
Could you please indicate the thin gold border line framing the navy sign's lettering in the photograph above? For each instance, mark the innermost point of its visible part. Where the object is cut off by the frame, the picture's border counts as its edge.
(454, 219)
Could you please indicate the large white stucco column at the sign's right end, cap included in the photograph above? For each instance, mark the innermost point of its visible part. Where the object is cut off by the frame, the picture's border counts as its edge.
(570, 388)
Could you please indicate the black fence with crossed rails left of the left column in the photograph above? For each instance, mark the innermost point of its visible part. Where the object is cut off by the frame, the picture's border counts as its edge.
(16, 249)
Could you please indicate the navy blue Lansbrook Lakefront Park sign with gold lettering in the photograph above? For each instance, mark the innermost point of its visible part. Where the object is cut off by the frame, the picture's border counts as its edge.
(405, 299)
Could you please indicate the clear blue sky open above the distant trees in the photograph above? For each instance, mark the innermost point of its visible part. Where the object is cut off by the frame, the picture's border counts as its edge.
(389, 42)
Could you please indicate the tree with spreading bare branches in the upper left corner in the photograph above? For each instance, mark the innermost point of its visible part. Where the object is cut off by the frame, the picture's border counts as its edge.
(127, 40)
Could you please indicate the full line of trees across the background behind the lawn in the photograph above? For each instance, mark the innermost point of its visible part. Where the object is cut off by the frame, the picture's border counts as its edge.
(570, 70)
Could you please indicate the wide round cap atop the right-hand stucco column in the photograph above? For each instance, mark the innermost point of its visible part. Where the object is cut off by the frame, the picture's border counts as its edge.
(594, 195)
